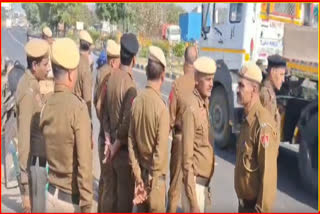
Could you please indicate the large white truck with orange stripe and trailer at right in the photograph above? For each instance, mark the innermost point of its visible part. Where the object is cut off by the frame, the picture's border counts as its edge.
(241, 32)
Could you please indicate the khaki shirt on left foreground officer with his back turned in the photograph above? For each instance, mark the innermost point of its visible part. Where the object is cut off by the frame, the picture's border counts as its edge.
(65, 124)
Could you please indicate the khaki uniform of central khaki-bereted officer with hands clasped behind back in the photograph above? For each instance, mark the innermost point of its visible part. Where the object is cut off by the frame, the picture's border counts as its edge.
(148, 147)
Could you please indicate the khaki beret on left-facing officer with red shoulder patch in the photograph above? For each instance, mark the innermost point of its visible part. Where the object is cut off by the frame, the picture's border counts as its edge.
(251, 71)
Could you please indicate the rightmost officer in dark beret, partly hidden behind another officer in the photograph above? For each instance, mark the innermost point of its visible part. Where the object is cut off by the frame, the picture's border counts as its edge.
(275, 77)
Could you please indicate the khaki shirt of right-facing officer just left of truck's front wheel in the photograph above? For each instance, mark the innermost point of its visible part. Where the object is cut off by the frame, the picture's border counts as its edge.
(198, 154)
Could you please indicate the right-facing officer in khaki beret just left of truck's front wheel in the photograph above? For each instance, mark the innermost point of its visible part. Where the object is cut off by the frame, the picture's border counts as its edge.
(198, 155)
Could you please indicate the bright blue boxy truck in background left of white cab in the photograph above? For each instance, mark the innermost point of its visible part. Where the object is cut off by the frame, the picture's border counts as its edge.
(190, 25)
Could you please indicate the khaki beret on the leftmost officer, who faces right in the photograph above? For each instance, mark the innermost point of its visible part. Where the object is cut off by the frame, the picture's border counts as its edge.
(37, 48)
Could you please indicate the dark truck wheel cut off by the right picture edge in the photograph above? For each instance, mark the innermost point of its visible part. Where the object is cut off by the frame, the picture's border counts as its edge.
(308, 174)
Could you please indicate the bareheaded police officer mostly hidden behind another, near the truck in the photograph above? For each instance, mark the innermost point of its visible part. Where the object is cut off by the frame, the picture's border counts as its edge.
(183, 85)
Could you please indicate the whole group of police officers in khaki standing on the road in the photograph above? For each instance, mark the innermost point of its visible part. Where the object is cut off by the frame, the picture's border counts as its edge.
(133, 144)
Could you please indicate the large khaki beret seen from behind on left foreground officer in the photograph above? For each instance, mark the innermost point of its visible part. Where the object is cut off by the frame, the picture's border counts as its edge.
(64, 52)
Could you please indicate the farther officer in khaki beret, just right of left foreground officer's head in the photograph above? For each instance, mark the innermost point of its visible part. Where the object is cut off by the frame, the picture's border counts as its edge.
(83, 87)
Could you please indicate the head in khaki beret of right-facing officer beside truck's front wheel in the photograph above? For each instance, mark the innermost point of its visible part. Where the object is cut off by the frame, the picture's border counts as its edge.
(205, 70)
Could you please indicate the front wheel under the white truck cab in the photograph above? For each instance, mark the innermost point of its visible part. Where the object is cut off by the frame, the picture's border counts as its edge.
(220, 117)
